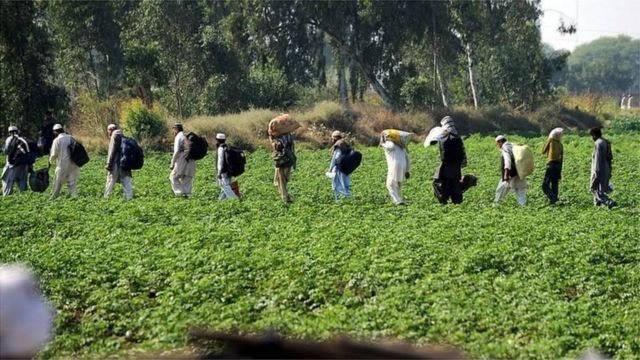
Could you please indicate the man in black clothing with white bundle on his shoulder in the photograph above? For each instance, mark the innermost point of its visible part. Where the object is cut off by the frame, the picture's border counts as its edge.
(446, 180)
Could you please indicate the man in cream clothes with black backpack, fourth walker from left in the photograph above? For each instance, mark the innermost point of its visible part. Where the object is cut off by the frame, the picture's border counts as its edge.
(183, 169)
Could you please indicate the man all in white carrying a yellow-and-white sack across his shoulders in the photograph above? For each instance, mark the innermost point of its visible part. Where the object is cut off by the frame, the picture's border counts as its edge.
(398, 169)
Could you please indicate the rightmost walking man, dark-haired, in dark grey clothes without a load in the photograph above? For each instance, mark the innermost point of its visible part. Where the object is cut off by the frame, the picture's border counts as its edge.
(601, 166)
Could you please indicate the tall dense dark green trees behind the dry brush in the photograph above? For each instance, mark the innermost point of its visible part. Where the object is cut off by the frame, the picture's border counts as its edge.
(211, 57)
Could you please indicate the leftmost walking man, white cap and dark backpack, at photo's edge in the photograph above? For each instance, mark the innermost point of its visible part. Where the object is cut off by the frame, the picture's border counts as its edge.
(15, 147)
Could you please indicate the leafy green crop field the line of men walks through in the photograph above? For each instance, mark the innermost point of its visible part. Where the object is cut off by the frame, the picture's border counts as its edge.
(498, 282)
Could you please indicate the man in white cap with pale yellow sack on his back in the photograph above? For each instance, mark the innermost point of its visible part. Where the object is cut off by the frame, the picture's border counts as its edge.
(509, 177)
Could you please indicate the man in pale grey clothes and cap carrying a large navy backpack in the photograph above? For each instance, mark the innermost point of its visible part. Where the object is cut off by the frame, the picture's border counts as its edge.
(115, 173)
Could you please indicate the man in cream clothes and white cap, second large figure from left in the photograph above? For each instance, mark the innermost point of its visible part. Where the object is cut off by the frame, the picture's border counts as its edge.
(66, 170)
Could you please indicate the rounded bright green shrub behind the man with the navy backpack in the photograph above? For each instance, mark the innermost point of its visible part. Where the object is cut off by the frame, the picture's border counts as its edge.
(142, 122)
